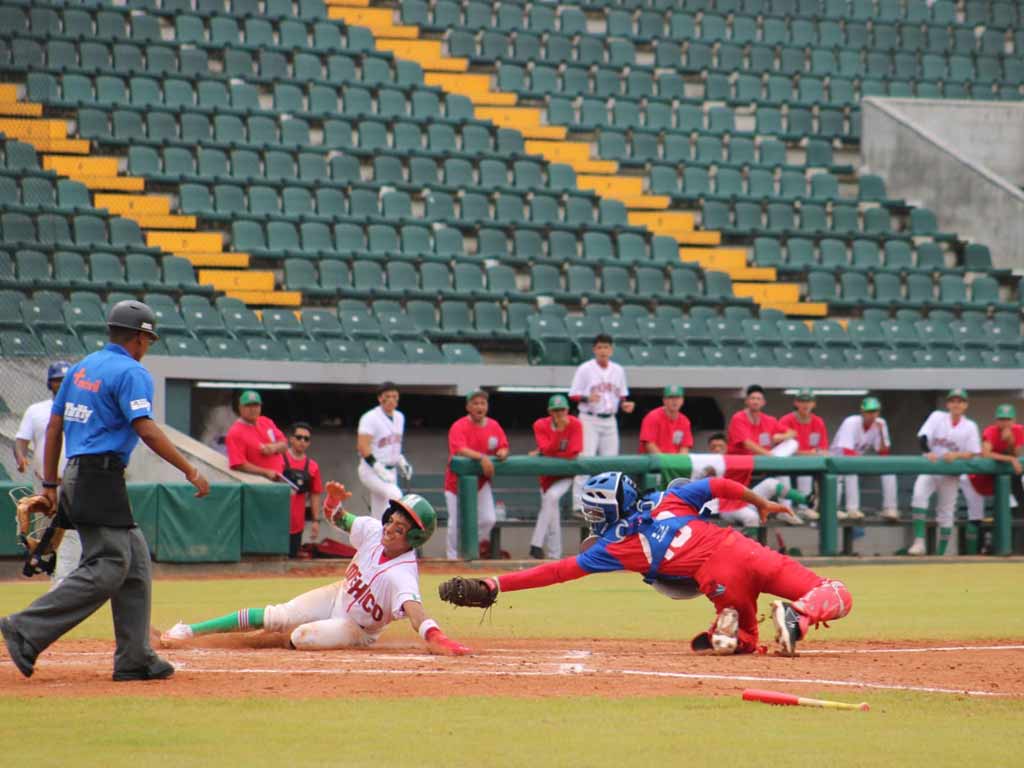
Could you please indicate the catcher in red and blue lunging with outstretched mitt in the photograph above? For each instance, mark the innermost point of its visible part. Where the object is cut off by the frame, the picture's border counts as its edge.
(682, 554)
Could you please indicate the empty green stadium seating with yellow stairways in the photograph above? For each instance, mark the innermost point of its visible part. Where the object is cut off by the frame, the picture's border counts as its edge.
(429, 181)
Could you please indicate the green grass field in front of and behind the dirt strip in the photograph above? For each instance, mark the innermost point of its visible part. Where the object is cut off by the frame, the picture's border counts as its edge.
(913, 603)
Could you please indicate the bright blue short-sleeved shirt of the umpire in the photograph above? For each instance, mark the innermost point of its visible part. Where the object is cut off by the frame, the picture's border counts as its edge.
(100, 399)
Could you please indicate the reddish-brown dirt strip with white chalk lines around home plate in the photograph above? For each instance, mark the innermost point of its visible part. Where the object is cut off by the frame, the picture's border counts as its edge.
(260, 665)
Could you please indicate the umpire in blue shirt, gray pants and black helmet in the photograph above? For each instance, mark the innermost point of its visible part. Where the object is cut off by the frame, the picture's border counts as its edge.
(103, 409)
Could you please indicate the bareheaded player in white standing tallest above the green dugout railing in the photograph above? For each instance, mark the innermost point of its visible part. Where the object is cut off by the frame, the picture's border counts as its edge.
(600, 389)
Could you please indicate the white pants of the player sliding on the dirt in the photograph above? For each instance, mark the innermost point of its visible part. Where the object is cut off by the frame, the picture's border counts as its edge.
(317, 621)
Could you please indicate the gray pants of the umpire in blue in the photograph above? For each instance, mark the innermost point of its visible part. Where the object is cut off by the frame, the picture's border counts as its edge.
(115, 567)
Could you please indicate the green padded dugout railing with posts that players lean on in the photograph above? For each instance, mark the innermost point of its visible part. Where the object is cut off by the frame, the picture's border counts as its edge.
(659, 470)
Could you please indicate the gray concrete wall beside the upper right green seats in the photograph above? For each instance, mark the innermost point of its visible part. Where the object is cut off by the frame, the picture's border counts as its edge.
(961, 159)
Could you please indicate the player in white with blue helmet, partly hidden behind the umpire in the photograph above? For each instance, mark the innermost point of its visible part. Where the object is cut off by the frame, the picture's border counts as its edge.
(32, 433)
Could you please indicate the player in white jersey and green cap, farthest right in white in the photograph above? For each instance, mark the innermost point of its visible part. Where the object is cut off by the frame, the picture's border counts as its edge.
(946, 436)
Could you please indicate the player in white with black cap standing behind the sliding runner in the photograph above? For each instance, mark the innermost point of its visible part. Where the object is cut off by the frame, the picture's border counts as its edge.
(379, 445)
